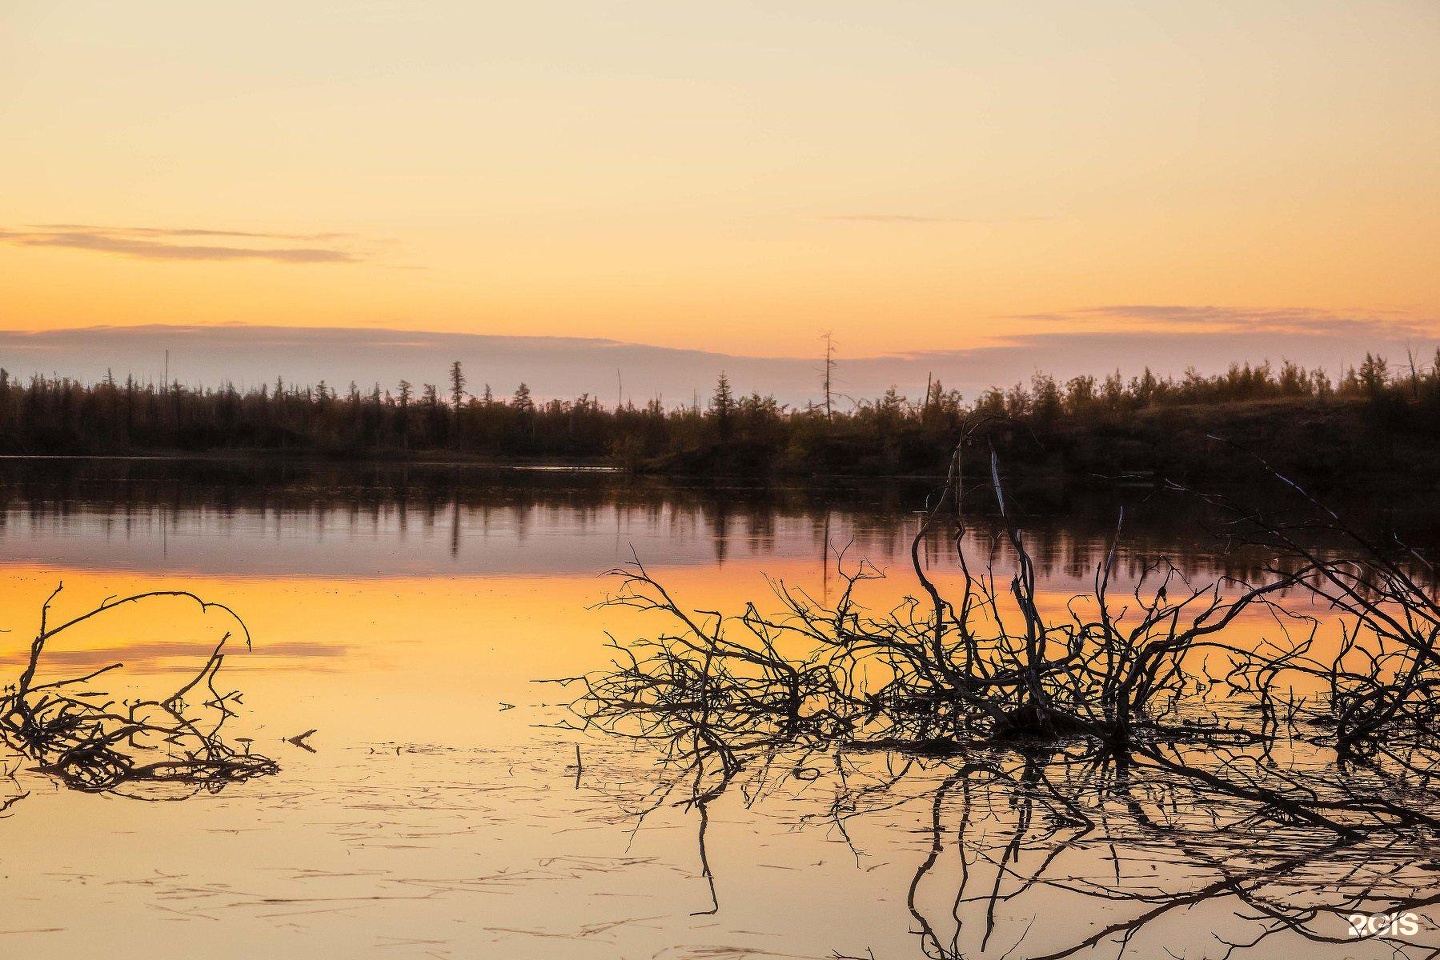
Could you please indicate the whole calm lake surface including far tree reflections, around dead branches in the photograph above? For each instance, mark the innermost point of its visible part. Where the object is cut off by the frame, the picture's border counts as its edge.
(407, 617)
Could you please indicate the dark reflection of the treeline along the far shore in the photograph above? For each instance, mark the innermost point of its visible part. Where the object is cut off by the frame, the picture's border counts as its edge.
(1068, 533)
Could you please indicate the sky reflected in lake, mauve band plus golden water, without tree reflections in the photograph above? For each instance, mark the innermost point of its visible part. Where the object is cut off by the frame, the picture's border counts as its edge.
(440, 818)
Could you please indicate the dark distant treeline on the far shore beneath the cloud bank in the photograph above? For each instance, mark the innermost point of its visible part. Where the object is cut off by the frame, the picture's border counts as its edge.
(1372, 420)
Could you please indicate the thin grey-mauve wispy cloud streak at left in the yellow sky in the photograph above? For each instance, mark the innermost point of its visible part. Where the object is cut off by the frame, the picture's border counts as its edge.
(165, 244)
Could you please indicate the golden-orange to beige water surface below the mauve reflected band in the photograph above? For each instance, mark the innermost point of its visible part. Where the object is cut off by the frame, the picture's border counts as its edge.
(440, 815)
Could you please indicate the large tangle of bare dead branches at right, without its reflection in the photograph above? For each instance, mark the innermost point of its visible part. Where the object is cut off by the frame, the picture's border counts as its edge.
(1151, 679)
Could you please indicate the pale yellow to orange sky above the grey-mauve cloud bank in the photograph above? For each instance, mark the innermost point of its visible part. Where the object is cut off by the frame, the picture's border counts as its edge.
(735, 178)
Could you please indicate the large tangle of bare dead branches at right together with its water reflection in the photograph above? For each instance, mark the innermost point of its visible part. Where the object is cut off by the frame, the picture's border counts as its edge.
(1058, 752)
